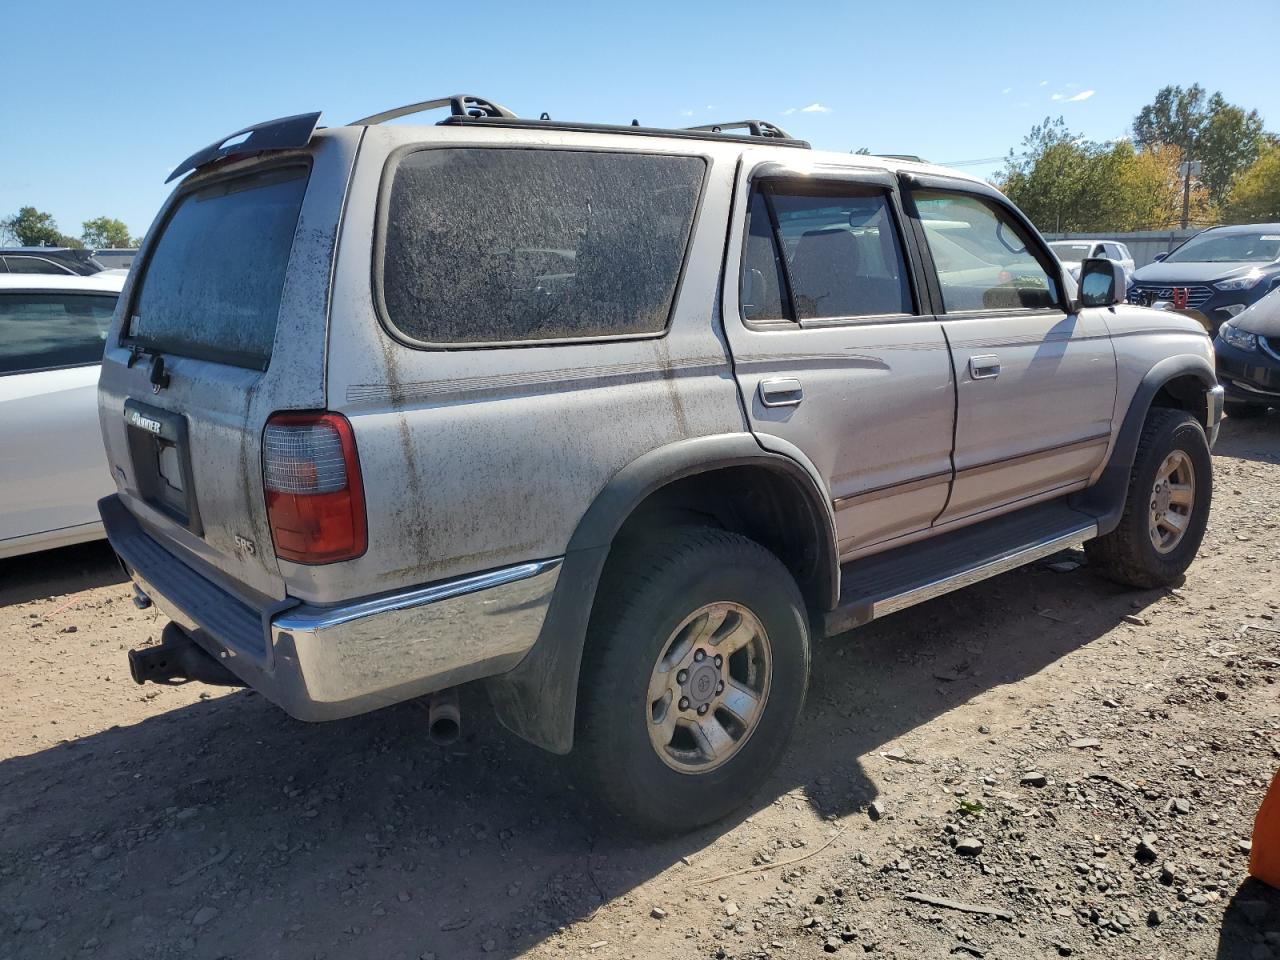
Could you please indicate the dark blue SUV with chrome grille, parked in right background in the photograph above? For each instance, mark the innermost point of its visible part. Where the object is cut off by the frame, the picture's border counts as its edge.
(1215, 276)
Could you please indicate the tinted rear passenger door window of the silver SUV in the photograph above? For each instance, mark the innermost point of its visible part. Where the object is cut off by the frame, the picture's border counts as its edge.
(835, 257)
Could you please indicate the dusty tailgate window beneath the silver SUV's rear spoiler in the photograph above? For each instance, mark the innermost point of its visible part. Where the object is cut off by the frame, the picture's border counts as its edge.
(212, 285)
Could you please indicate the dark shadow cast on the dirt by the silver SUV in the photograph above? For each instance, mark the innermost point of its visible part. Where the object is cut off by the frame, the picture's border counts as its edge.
(226, 829)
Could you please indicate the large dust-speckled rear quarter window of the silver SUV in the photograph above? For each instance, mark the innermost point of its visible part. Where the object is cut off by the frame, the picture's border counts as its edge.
(508, 246)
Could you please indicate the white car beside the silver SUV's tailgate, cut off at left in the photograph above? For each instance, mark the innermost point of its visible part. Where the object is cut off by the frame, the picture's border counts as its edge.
(53, 469)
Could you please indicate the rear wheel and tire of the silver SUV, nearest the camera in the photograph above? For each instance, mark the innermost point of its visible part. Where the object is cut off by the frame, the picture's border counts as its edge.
(657, 602)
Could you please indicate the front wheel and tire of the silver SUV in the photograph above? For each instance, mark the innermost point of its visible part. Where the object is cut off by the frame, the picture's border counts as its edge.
(1130, 554)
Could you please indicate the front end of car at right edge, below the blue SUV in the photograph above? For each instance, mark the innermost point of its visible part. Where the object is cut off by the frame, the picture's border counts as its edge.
(1249, 358)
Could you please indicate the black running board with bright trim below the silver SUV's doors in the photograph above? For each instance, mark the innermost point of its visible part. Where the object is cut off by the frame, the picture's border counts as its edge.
(890, 582)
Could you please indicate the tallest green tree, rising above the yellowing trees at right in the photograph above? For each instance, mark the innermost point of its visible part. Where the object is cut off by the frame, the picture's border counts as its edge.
(1220, 135)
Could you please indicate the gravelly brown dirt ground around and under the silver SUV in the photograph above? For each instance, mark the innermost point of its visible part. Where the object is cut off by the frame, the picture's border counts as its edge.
(1082, 761)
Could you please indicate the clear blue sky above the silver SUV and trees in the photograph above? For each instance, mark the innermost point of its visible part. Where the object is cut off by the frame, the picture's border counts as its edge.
(121, 93)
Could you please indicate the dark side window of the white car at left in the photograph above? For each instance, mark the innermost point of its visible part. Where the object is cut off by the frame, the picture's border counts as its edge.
(44, 331)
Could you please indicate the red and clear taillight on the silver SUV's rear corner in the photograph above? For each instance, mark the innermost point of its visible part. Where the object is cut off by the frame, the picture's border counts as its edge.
(314, 497)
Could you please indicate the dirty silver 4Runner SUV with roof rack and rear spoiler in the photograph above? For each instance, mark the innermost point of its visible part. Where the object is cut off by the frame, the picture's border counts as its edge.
(616, 420)
